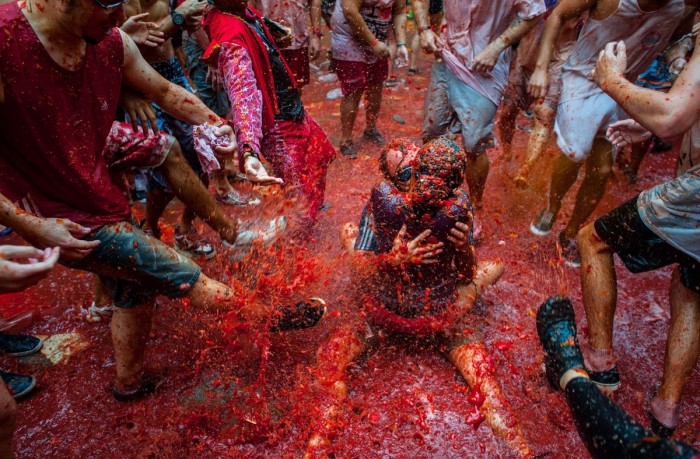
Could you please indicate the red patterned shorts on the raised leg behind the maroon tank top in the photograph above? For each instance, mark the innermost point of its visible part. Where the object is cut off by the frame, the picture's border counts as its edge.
(128, 149)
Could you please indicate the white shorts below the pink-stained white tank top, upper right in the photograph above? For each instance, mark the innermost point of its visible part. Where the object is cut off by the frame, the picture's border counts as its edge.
(580, 121)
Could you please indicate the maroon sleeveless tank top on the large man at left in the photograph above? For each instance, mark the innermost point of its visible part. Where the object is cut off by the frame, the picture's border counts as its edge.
(54, 124)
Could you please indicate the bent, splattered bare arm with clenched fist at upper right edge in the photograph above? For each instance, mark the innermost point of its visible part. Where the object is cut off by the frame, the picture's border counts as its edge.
(666, 115)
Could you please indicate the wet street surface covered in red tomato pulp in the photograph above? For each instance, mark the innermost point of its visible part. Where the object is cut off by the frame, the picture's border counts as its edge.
(406, 400)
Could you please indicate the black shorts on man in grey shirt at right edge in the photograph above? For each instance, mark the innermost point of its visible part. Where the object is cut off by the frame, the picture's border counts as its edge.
(639, 248)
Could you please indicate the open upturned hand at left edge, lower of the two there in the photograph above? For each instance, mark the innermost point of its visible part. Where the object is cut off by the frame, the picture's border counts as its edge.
(15, 276)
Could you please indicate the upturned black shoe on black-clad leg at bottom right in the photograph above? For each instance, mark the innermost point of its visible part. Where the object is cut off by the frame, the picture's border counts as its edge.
(556, 327)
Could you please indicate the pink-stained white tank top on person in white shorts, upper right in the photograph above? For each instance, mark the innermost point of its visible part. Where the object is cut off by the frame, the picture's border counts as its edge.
(645, 35)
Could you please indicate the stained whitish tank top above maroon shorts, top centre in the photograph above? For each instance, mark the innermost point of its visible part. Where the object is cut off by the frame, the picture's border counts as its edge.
(377, 14)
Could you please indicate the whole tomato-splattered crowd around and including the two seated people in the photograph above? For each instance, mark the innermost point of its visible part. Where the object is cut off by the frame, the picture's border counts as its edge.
(103, 100)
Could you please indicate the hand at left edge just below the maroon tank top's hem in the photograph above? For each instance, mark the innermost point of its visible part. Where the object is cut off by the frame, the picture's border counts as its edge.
(57, 232)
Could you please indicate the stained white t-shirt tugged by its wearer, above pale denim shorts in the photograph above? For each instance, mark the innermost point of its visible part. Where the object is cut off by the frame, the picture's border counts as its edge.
(473, 24)
